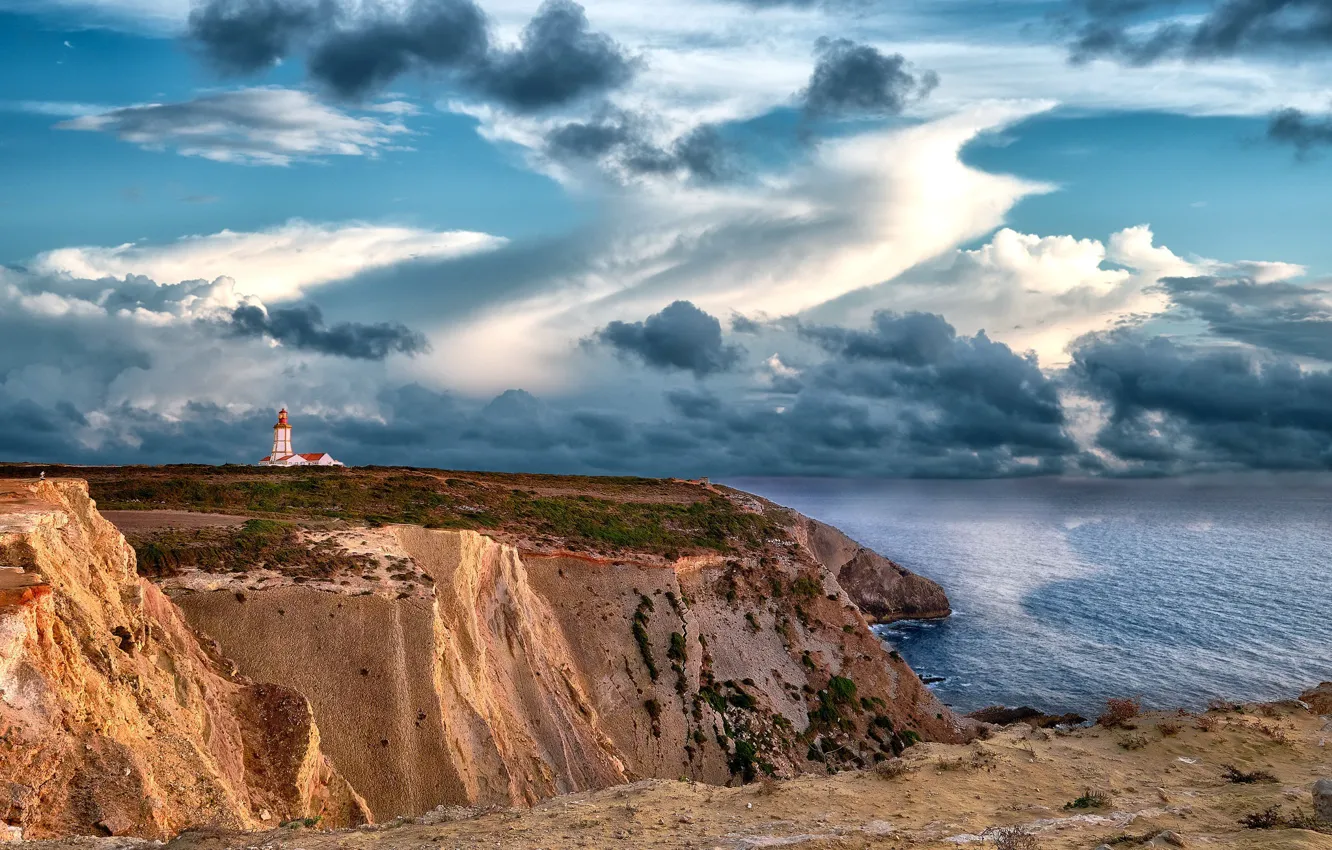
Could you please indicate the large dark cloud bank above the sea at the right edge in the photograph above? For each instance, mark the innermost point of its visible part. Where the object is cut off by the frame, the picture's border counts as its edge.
(1175, 408)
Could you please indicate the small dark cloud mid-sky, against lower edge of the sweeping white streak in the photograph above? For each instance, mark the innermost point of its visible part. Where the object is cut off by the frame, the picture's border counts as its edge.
(680, 338)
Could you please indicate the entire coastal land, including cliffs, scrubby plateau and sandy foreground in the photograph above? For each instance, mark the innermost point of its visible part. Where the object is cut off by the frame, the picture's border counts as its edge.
(331, 657)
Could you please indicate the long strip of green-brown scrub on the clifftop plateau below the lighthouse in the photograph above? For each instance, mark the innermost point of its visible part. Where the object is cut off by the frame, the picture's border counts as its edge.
(592, 514)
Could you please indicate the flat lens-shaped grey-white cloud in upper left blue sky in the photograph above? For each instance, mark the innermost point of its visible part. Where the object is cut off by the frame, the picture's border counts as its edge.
(252, 127)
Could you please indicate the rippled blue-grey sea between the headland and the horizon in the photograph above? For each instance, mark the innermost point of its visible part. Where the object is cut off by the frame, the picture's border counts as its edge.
(1068, 592)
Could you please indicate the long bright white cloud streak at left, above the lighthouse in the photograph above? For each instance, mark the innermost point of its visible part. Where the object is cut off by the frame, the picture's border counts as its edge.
(278, 264)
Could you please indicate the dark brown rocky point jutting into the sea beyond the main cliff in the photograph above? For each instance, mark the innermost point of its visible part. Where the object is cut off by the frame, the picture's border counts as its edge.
(885, 591)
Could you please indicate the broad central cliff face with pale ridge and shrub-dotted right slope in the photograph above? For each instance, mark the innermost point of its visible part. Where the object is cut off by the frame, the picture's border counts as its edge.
(512, 676)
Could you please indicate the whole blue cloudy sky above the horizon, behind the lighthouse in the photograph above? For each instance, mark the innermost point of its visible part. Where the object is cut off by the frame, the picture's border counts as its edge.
(689, 238)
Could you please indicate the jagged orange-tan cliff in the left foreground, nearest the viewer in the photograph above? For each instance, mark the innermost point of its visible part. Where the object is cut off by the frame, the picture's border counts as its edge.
(115, 719)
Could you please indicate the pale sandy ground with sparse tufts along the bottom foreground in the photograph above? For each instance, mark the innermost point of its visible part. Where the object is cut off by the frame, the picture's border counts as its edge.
(1164, 775)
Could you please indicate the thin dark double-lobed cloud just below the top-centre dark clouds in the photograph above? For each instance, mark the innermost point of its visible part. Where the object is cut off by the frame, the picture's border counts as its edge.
(623, 141)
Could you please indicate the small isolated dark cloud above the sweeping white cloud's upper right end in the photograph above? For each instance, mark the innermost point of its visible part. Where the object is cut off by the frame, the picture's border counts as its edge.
(857, 79)
